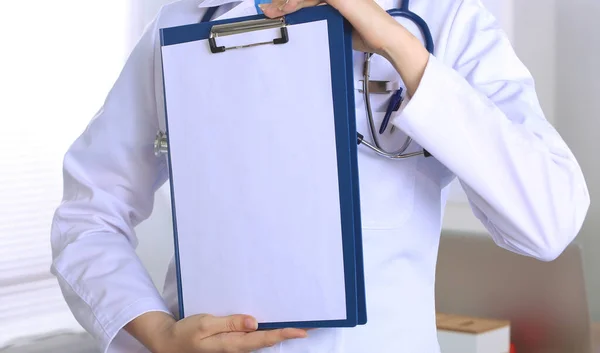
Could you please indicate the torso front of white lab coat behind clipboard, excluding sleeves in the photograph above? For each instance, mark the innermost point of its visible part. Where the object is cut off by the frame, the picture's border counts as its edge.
(402, 203)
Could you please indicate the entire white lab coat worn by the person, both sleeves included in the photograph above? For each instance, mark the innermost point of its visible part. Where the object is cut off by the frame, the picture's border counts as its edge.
(476, 111)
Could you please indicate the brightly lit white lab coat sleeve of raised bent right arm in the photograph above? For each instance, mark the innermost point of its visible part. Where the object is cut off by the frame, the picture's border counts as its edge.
(477, 112)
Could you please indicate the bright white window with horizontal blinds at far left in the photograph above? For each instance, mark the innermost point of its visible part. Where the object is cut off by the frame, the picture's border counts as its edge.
(59, 60)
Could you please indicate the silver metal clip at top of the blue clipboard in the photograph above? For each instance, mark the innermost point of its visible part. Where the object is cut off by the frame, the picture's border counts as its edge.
(229, 29)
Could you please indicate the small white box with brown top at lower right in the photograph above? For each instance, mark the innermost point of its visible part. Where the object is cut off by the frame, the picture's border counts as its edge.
(464, 334)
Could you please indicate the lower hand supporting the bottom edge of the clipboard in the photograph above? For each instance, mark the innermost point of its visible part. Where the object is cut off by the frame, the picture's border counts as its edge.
(206, 334)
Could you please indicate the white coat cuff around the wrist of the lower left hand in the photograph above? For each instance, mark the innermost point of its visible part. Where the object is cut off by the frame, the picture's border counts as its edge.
(116, 338)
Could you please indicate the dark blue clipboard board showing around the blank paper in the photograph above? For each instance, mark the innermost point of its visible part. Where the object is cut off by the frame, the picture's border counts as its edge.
(342, 81)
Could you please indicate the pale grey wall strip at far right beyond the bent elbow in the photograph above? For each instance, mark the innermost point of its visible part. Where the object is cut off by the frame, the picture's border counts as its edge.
(578, 113)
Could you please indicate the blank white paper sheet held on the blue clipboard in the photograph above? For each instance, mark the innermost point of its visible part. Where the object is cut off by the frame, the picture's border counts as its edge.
(254, 168)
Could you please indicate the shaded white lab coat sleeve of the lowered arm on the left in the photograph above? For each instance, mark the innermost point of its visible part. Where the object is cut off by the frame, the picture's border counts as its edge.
(110, 178)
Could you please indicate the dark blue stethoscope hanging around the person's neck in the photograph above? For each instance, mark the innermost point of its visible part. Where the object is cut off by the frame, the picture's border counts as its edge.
(396, 98)
